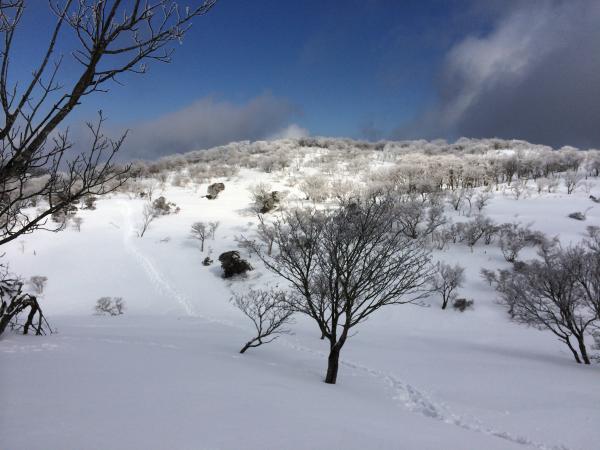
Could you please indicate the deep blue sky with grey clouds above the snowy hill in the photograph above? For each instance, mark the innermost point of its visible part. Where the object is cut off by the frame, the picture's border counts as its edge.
(363, 69)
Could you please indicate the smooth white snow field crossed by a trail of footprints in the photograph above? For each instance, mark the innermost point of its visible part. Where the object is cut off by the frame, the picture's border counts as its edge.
(167, 374)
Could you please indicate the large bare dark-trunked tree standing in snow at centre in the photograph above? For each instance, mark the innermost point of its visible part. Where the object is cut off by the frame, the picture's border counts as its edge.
(343, 265)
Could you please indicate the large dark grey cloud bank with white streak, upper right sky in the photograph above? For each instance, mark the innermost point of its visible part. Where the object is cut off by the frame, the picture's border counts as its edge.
(534, 76)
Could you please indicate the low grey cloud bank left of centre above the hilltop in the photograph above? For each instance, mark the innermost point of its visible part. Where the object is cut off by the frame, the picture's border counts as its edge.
(207, 123)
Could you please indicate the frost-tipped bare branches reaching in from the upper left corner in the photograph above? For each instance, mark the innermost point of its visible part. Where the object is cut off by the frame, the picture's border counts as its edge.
(108, 38)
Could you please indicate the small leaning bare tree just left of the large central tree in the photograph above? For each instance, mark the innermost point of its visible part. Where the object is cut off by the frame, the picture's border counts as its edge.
(268, 310)
